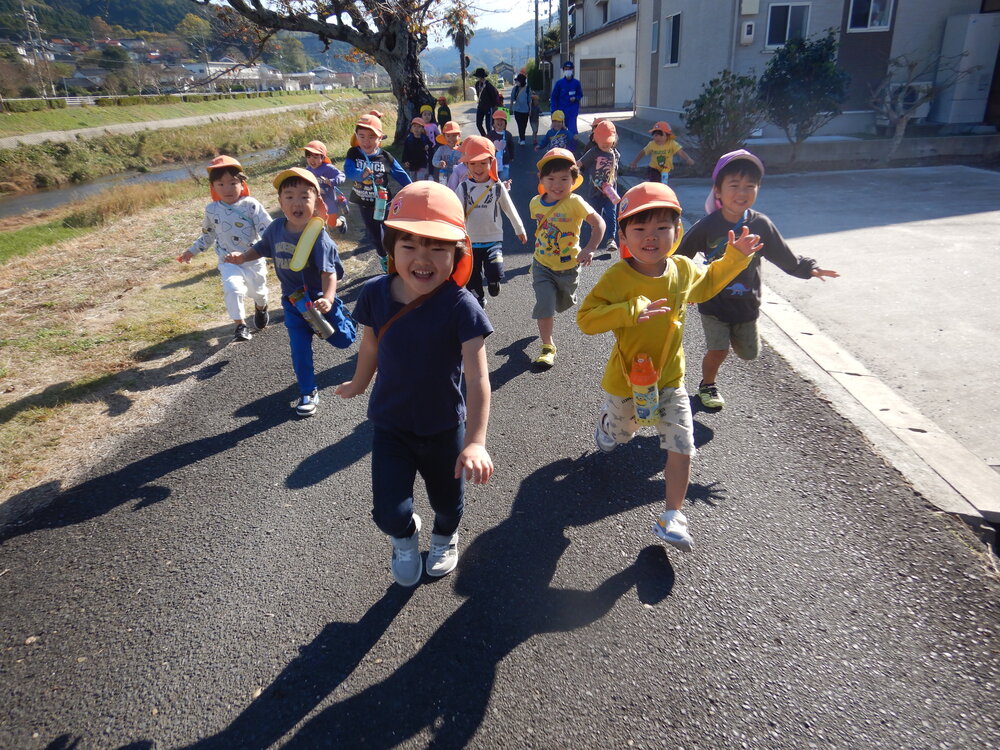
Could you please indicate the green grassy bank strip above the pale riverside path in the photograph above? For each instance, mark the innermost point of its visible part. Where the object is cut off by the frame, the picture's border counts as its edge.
(72, 118)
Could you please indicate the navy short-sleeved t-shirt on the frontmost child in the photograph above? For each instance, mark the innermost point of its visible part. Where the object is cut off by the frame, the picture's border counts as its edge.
(418, 386)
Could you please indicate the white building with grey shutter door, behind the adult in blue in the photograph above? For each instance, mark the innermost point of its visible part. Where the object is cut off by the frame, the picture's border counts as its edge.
(600, 45)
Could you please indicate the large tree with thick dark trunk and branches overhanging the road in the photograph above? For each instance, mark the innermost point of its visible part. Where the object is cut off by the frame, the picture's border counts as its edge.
(392, 32)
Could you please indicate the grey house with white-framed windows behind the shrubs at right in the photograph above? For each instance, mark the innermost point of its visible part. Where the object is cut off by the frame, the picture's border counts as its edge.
(685, 43)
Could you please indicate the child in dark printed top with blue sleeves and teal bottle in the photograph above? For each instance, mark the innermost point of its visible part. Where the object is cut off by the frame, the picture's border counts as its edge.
(370, 168)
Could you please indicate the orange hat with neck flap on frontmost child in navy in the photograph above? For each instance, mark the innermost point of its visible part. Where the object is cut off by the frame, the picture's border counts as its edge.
(429, 209)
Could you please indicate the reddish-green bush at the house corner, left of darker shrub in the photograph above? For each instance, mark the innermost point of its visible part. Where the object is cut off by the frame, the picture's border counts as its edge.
(723, 116)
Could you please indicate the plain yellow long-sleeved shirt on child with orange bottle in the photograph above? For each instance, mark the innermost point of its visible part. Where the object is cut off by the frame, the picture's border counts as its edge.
(622, 294)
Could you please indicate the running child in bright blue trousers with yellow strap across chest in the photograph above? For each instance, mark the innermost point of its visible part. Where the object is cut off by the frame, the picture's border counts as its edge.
(313, 286)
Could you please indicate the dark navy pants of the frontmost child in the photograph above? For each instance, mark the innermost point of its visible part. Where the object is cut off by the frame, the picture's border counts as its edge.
(397, 458)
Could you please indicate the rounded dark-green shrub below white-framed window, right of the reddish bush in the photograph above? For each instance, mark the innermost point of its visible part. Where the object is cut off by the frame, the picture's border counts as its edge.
(803, 88)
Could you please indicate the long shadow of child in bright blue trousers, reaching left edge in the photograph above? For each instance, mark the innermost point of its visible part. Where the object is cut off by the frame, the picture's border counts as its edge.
(137, 482)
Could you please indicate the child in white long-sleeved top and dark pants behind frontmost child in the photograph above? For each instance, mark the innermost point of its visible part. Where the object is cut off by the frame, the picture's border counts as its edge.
(483, 197)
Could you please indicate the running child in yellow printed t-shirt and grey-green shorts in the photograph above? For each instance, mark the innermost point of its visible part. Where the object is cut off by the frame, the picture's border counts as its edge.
(555, 265)
